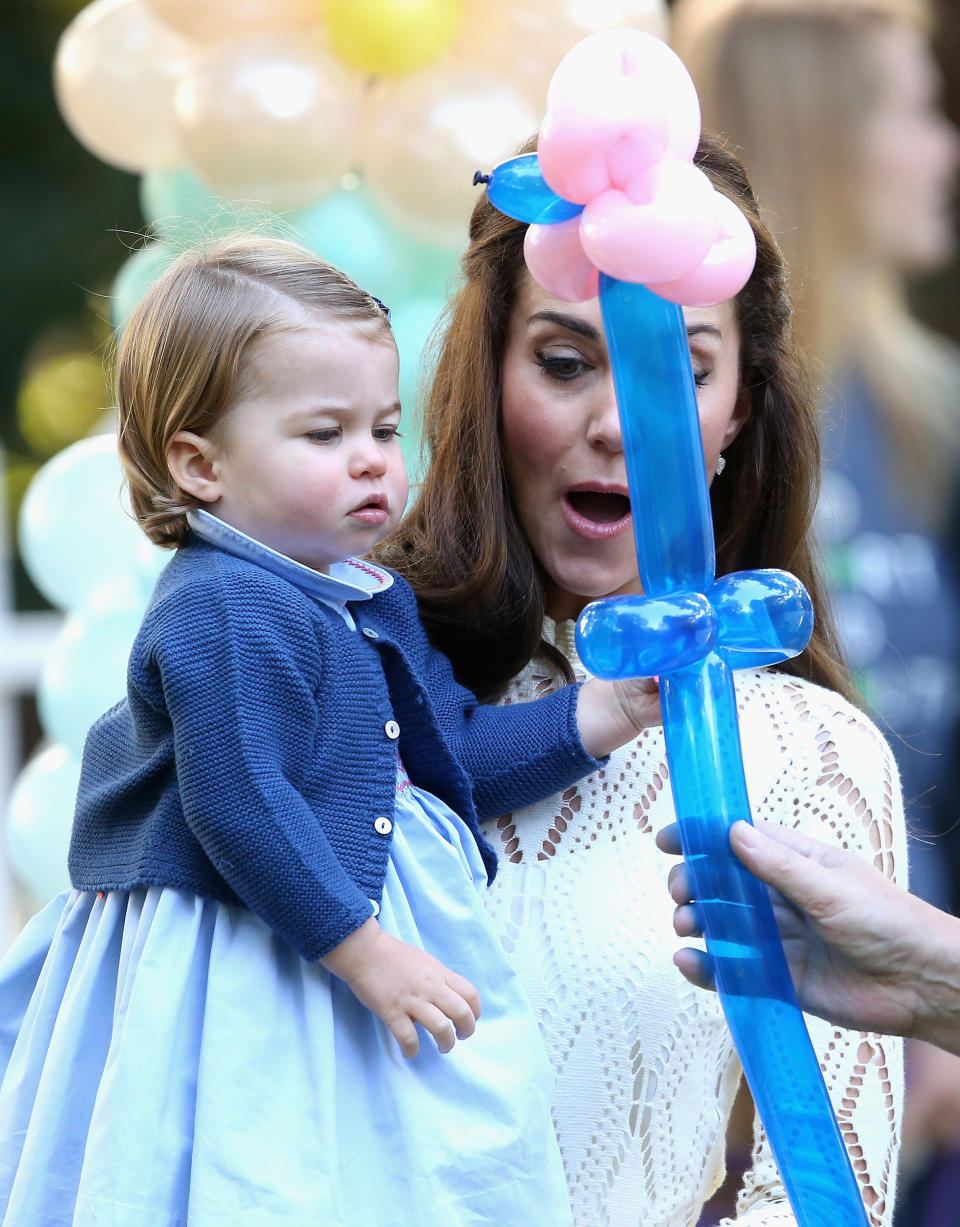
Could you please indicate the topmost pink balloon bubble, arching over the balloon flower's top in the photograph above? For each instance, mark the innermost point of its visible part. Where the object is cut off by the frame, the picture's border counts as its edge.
(610, 55)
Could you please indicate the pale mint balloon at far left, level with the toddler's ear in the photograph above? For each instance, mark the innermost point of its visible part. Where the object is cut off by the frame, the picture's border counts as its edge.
(77, 533)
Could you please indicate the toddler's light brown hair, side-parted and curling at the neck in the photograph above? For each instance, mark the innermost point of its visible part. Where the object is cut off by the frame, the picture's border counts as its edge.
(179, 361)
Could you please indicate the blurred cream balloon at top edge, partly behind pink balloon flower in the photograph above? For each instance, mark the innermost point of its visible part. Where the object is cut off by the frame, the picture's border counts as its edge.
(526, 40)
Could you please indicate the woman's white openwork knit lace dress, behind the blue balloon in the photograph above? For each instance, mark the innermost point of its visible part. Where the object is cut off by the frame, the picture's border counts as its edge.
(645, 1067)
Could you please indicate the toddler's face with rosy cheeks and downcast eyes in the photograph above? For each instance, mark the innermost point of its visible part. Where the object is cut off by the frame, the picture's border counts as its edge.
(308, 460)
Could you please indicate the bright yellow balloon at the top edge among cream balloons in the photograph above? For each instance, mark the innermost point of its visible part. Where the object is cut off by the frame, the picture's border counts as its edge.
(392, 37)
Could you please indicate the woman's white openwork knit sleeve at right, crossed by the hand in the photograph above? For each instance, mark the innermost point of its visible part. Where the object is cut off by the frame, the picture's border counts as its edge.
(848, 793)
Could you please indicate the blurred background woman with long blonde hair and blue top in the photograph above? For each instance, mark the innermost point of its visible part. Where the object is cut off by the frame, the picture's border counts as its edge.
(834, 105)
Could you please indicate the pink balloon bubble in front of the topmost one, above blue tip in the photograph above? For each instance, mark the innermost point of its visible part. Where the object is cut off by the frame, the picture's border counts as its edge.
(602, 139)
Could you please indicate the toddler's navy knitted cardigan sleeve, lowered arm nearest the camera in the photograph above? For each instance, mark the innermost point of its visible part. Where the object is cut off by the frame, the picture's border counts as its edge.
(240, 669)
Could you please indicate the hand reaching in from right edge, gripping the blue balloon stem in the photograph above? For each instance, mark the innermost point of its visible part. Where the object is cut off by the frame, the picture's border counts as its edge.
(862, 953)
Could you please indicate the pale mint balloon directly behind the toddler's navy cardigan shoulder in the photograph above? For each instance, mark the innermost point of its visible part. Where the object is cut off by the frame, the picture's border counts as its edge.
(85, 671)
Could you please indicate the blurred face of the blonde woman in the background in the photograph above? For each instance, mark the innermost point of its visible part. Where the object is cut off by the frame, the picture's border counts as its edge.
(910, 155)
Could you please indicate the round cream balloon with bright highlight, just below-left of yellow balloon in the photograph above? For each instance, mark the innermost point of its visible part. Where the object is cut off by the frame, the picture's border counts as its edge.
(269, 120)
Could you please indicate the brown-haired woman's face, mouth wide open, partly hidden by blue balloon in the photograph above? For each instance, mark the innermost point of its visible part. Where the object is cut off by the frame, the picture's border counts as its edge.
(562, 440)
